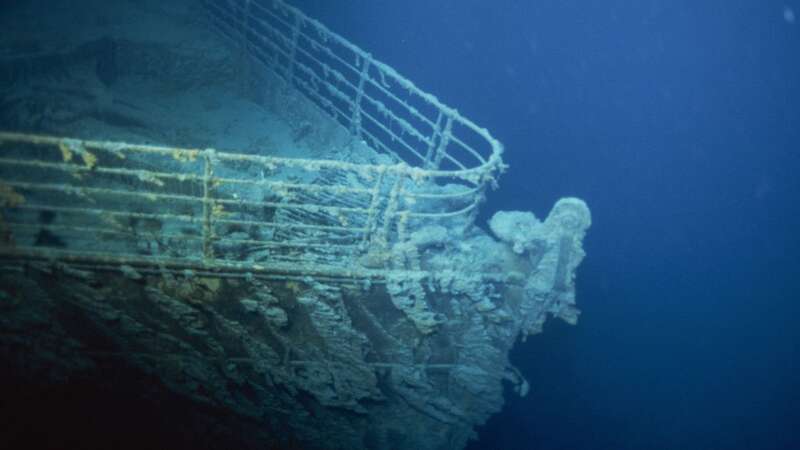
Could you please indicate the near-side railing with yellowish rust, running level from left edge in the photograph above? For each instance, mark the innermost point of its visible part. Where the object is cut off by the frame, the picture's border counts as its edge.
(200, 208)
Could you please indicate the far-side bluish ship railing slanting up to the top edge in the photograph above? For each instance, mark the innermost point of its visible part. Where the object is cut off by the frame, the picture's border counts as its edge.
(367, 97)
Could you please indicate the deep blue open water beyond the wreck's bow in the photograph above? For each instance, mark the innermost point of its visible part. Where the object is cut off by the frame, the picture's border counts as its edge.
(678, 121)
